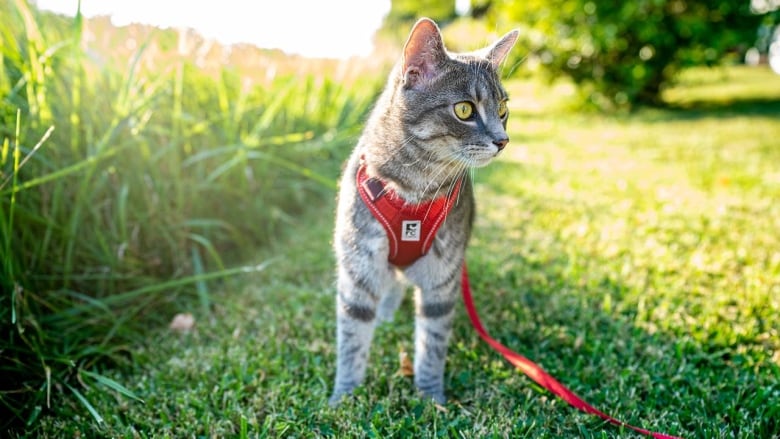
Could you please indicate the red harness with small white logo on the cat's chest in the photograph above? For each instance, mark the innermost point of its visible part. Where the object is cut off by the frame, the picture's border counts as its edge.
(410, 227)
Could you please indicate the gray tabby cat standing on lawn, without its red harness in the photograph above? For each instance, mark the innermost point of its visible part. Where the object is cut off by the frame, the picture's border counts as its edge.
(439, 115)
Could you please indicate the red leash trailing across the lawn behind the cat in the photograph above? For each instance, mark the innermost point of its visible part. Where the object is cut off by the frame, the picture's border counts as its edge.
(536, 373)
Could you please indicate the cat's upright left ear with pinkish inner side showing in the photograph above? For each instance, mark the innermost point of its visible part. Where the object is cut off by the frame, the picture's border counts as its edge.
(423, 53)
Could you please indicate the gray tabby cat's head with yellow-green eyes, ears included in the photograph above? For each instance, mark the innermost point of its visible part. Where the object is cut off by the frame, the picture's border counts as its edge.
(453, 104)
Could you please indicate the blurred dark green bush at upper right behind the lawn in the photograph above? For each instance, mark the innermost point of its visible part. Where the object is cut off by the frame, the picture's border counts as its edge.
(624, 53)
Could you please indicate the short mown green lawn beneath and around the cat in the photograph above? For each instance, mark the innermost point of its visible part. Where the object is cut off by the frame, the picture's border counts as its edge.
(635, 257)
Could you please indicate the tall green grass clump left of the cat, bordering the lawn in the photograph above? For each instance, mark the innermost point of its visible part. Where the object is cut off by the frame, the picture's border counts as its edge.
(123, 186)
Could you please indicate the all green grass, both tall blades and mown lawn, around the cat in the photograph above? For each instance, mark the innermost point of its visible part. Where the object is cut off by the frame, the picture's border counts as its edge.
(634, 256)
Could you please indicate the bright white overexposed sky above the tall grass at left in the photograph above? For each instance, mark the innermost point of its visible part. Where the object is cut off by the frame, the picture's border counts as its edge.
(333, 28)
